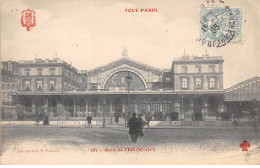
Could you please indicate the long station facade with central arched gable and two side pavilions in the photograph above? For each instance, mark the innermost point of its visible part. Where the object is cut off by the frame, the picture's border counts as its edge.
(55, 88)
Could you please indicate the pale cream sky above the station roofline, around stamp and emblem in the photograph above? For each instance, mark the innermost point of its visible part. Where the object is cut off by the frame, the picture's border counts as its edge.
(91, 33)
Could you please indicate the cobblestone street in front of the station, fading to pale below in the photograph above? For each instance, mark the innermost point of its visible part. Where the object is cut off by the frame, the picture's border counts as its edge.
(82, 145)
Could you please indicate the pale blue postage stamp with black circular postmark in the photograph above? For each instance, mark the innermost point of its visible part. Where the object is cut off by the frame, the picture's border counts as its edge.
(221, 25)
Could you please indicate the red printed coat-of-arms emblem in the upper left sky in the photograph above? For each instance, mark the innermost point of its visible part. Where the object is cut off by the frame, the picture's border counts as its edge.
(28, 19)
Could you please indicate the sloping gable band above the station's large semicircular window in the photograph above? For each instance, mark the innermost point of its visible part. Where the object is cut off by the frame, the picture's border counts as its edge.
(128, 62)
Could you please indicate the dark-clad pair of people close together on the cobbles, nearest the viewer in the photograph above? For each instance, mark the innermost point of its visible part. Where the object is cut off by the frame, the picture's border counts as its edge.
(135, 127)
